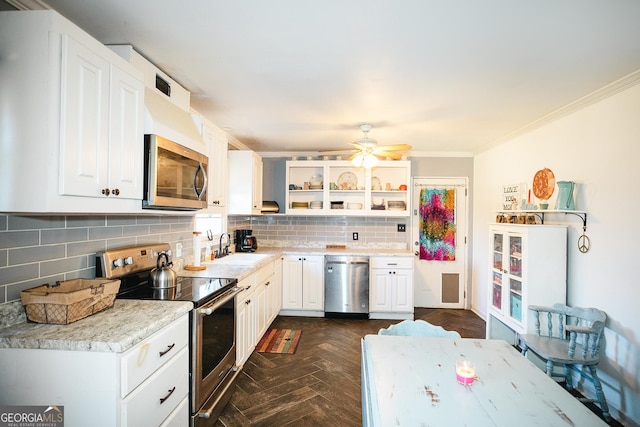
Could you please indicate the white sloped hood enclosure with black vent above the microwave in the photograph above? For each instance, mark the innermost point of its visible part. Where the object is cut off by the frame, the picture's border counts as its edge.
(167, 115)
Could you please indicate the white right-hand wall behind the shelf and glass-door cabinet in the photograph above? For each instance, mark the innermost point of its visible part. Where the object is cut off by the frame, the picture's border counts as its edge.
(598, 147)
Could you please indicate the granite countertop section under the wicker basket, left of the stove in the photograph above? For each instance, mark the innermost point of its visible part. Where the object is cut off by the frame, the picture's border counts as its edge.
(114, 330)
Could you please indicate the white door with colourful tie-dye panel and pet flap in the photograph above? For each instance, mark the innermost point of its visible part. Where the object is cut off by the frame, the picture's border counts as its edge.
(439, 283)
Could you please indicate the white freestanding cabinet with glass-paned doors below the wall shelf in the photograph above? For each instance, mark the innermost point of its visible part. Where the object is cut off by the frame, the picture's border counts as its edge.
(528, 267)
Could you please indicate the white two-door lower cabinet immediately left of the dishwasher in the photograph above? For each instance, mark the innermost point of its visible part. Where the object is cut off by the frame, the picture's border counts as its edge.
(303, 285)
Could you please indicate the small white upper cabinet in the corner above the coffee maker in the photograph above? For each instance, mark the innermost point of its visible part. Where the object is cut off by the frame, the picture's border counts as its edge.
(245, 183)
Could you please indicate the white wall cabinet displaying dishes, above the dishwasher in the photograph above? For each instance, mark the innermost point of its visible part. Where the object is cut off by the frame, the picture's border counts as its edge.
(336, 187)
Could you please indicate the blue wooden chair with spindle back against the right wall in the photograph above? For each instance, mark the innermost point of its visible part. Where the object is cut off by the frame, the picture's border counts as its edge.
(574, 345)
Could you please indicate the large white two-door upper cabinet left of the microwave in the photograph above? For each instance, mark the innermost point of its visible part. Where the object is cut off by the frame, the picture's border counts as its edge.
(74, 140)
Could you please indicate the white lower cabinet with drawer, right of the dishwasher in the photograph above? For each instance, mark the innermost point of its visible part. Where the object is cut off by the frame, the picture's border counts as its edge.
(391, 288)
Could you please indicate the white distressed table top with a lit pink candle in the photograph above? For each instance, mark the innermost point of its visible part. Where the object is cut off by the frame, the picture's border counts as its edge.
(411, 381)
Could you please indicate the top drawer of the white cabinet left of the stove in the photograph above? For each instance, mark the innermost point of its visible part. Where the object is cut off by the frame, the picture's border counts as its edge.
(147, 356)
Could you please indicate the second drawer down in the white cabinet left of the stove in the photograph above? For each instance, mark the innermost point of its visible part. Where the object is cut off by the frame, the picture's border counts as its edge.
(143, 407)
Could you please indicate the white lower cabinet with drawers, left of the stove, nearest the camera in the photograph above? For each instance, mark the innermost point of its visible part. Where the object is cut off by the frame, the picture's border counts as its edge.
(146, 385)
